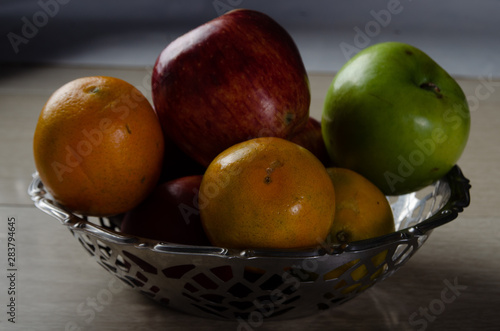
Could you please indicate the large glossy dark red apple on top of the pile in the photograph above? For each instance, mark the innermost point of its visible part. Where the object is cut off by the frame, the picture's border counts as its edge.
(237, 77)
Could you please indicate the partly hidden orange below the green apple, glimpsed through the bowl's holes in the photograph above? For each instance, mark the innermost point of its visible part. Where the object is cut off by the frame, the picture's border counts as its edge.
(362, 212)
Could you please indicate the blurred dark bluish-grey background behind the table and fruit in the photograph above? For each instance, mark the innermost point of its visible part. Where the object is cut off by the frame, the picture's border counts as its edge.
(132, 33)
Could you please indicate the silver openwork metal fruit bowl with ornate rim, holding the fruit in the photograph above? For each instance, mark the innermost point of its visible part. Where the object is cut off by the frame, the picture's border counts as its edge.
(237, 284)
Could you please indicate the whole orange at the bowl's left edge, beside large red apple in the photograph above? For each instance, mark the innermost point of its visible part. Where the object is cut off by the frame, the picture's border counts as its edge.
(98, 146)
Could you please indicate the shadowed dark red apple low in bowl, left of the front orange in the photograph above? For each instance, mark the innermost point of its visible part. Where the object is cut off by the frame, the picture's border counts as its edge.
(169, 214)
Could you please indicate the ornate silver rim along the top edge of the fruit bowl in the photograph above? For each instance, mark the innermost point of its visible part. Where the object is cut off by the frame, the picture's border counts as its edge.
(458, 200)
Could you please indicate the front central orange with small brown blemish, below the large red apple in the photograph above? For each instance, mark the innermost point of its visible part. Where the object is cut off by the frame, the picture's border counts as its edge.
(266, 193)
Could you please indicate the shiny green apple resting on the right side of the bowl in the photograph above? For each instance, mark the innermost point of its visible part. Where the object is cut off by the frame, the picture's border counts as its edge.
(396, 117)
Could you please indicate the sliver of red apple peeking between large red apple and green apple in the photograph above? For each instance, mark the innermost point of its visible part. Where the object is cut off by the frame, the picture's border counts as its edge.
(311, 138)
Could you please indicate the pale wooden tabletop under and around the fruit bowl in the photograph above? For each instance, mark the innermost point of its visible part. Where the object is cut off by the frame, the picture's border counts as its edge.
(58, 286)
